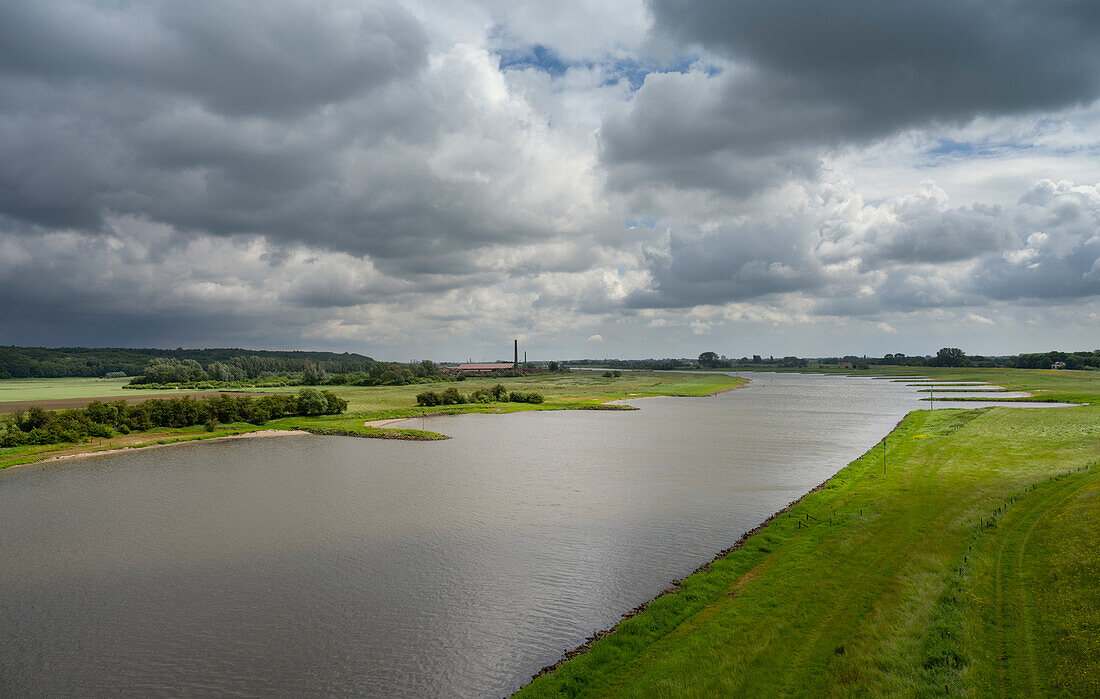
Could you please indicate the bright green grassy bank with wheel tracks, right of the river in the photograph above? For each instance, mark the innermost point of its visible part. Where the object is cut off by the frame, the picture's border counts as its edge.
(967, 565)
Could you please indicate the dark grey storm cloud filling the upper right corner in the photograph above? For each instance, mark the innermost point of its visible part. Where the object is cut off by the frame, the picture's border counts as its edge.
(806, 75)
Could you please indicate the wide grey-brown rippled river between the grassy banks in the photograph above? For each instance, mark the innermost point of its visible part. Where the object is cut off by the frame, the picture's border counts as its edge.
(360, 567)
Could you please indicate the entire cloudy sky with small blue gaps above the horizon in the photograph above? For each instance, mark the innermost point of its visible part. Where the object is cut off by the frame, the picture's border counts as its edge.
(427, 180)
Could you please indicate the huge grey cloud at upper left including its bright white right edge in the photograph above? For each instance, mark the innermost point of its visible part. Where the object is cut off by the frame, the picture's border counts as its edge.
(305, 123)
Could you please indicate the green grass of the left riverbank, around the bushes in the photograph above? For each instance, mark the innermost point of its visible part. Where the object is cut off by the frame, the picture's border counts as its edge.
(579, 390)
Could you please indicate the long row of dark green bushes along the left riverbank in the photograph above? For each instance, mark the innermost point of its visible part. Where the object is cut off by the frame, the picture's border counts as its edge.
(37, 427)
